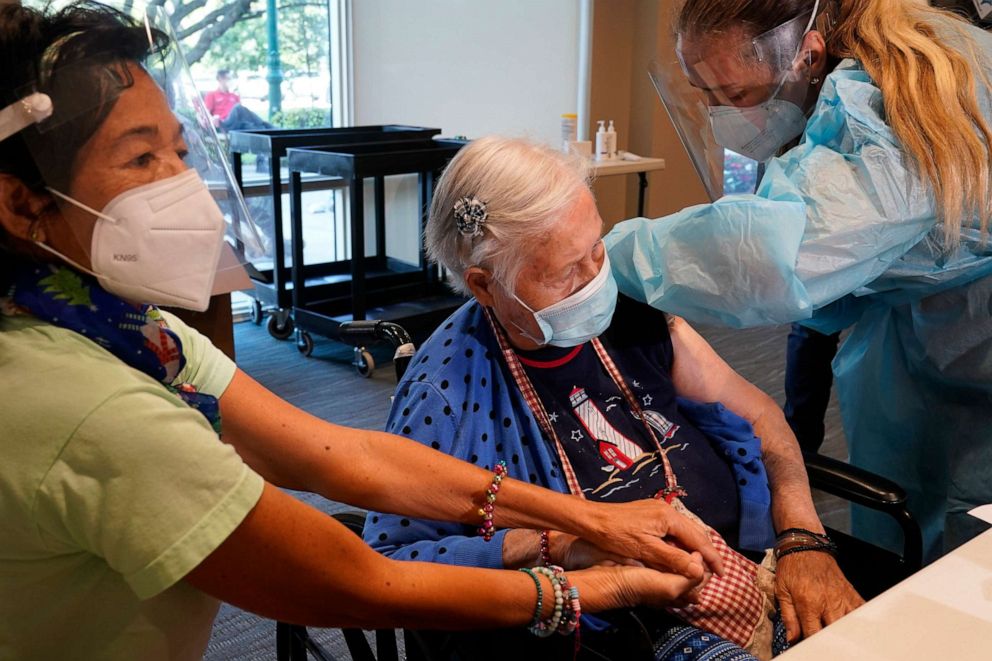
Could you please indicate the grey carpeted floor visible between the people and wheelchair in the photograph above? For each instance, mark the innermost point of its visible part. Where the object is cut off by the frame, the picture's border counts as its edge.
(327, 386)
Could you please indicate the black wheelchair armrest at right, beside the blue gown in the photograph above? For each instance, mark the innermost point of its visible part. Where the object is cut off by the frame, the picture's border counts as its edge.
(865, 488)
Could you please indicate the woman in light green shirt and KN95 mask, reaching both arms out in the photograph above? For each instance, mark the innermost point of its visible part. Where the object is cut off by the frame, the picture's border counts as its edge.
(139, 472)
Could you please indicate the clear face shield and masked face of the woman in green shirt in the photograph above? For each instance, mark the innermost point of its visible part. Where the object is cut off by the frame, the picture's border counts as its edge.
(148, 203)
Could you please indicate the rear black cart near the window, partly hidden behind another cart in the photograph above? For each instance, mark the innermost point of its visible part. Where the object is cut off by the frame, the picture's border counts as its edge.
(271, 285)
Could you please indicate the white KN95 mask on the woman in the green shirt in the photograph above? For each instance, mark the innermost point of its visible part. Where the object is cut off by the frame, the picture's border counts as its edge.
(158, 243)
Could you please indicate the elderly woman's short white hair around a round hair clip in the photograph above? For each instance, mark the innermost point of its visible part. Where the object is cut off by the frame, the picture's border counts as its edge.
(526, 187)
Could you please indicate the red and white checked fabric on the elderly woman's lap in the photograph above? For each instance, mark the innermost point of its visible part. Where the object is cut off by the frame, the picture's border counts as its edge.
(731, 605)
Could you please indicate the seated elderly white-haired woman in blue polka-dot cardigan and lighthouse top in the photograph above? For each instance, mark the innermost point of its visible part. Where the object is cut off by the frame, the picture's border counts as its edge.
(585, 391)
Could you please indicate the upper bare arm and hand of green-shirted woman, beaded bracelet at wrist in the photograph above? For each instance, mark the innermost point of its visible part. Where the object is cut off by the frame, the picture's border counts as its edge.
(382, 472)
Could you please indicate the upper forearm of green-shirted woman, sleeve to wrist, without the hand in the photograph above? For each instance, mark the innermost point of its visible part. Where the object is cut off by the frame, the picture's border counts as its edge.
(379, 471)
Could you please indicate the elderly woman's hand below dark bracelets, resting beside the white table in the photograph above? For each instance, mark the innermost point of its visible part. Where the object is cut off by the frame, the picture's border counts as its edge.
(812, 593)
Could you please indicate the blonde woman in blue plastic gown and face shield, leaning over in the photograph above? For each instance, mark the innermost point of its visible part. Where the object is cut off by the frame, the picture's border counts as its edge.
(878, 217)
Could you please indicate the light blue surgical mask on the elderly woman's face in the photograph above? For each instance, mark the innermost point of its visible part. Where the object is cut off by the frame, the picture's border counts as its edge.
(579, 317)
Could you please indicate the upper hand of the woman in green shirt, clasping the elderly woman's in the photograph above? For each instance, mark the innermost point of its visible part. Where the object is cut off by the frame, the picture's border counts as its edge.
(654, 533)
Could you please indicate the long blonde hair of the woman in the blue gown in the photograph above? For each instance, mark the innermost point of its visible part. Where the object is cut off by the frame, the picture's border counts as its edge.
(928, 87)
